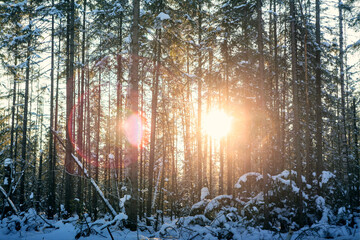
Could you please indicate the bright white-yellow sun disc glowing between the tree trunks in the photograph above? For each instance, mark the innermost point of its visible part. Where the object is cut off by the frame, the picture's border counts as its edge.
(217, 124)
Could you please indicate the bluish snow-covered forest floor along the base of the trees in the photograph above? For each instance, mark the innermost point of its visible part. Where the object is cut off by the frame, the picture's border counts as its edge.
(31, 226)
